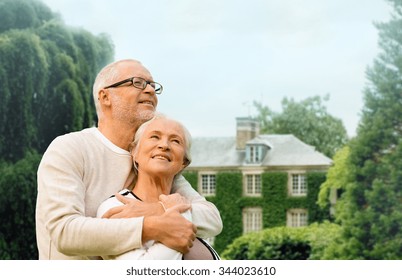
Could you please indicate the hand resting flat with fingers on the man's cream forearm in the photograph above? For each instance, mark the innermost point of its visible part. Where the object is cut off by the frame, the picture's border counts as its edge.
(133, 208)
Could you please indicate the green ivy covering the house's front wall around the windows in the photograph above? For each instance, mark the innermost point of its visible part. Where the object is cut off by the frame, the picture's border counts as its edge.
(274, 201)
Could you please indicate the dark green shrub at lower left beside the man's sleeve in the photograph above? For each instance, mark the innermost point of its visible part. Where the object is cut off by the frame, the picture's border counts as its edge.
(17, 208)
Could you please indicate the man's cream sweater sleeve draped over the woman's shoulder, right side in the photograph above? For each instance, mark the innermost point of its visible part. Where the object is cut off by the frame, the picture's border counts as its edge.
(205, 215)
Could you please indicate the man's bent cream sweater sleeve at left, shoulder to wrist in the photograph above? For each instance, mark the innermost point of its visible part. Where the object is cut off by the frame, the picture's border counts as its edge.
(61, 210)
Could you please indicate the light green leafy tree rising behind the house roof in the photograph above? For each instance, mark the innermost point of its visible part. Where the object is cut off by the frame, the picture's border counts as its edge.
(308, 120)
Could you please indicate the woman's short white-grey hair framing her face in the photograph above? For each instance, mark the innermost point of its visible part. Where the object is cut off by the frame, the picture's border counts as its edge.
(140, 131)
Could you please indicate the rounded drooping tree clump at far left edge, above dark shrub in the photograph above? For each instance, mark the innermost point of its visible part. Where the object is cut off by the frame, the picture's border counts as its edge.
(24, 74)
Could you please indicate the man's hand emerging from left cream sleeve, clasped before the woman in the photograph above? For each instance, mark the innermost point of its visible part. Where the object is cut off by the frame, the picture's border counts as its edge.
(171, 229)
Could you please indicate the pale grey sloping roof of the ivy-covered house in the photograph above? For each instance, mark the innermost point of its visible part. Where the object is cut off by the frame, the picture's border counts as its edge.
(283, 150)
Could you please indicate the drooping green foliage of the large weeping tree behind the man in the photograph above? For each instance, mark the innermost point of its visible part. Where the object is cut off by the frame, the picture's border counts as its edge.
(46, 72)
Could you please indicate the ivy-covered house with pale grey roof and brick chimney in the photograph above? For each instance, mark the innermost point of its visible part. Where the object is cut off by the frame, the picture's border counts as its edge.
(256, 158)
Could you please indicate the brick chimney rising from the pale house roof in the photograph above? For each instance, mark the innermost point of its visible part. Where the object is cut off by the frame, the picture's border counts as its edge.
(247, 129)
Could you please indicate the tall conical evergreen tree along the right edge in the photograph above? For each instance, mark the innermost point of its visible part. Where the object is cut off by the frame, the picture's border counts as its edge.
(371, 215)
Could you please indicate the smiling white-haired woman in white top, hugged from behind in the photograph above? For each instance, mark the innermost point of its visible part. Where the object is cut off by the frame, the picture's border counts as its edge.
(161, 150)
